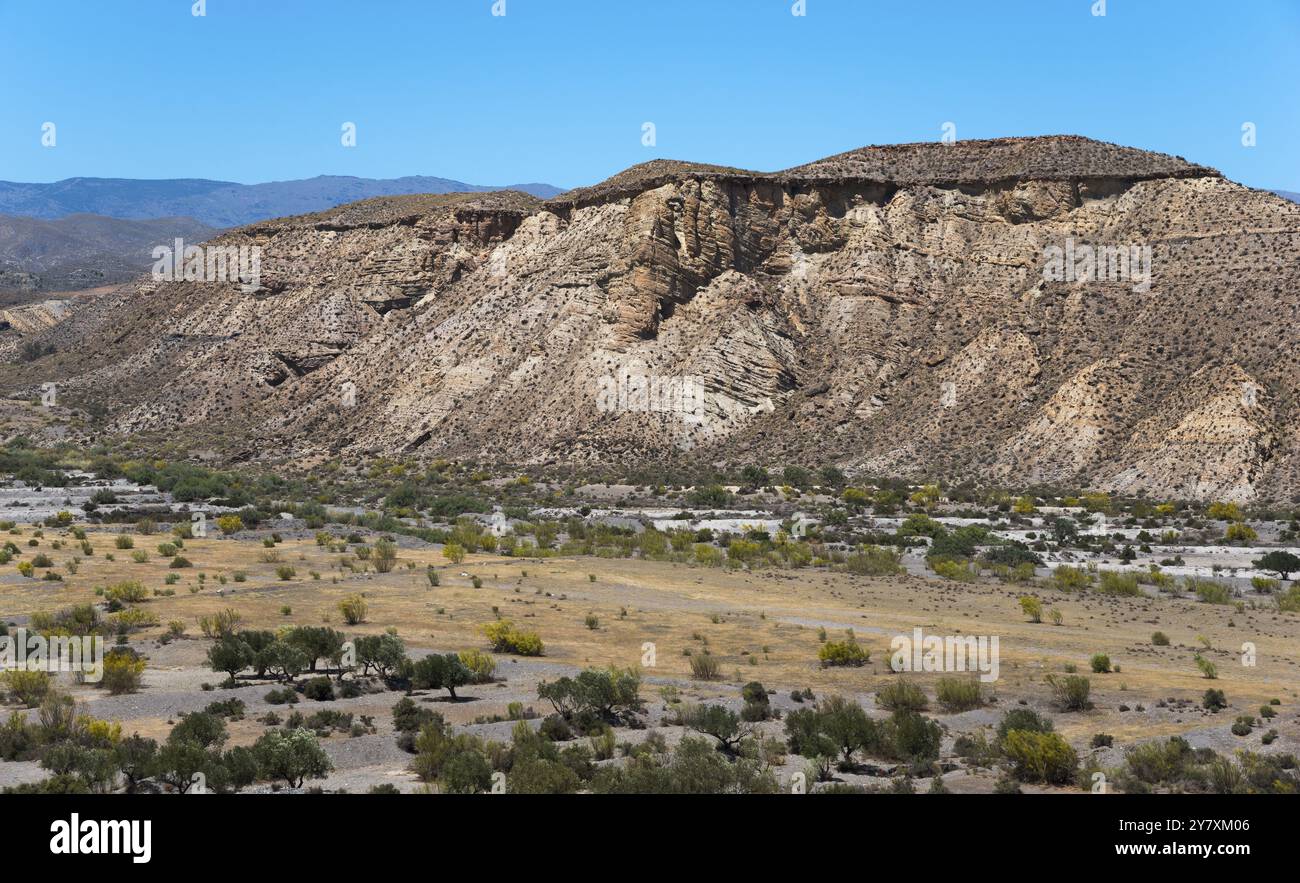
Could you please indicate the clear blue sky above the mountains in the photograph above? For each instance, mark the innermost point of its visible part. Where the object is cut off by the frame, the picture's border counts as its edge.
(558, 90)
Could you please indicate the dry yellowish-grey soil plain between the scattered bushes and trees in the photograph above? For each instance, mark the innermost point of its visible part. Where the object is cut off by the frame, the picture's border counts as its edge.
(762, 626)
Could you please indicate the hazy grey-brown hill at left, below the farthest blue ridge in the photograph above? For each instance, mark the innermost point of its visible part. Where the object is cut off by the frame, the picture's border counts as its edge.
(84, 252)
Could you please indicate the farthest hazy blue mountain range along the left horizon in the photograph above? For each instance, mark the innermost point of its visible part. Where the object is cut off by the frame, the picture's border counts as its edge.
(220, 204)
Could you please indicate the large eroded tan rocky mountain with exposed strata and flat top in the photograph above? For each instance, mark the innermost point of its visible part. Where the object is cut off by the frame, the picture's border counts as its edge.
(1015, 311)
